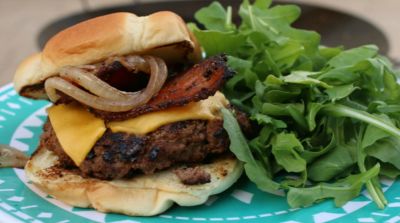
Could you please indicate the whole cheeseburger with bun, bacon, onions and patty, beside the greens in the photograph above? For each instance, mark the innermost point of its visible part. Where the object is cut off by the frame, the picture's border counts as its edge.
(135, 123)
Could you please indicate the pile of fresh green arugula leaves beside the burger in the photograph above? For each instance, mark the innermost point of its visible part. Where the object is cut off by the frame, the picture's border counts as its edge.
(328, 118)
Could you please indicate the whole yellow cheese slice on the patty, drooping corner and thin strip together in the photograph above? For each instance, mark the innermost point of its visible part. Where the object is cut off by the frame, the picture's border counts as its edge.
(78, 130)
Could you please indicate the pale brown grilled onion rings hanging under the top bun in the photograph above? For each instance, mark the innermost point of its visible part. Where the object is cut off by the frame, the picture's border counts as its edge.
(106, 97)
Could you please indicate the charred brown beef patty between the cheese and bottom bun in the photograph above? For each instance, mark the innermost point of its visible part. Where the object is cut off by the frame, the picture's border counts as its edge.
(121, 155)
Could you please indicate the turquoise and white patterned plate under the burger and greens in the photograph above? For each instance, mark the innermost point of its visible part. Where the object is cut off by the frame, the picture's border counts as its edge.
(21, 120)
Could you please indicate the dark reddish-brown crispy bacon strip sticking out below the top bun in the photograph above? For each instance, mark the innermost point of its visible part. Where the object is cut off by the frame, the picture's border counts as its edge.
(197, 83)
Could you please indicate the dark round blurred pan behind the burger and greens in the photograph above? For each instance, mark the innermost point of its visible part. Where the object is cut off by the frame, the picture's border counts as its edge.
(336, 28)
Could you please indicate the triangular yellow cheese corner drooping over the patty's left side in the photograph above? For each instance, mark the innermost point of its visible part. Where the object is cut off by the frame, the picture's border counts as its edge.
(76, 129)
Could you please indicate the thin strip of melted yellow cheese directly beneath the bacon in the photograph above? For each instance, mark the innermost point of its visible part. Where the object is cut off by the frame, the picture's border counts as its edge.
(206, 109)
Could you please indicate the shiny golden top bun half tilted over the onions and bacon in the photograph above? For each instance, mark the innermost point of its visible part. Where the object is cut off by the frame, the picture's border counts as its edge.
(162, 34)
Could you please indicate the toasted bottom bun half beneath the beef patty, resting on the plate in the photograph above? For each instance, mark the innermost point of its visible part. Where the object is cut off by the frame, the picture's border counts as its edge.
(143, 195)
